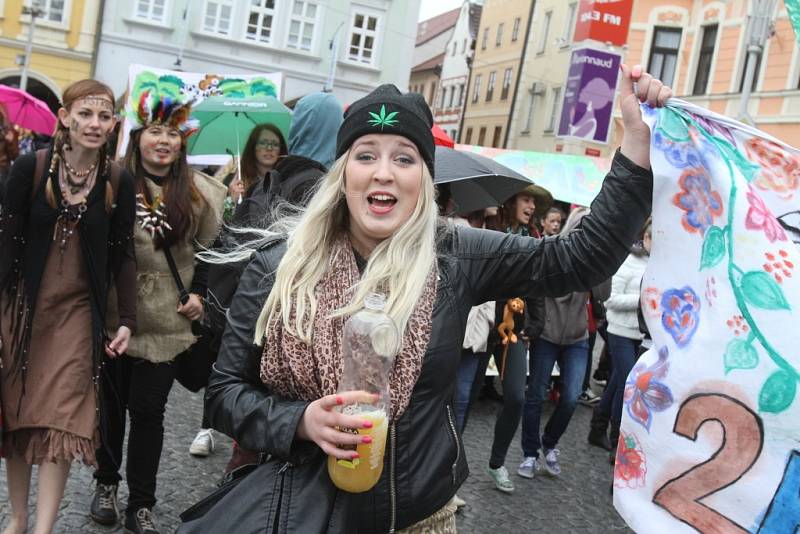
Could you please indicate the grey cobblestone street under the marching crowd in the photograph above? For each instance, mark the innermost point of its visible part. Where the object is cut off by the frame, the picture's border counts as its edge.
(578, 501)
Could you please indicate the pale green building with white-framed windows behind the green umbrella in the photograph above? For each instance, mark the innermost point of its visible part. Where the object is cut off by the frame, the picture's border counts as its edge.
(374, 41)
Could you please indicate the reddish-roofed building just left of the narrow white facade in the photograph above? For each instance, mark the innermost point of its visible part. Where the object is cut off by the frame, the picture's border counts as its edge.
(433, 34)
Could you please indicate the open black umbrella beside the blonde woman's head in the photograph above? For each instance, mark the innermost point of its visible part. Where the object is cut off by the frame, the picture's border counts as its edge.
(477, 182)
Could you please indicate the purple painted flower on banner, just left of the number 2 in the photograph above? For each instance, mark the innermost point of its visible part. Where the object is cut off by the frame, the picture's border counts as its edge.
(645, 393)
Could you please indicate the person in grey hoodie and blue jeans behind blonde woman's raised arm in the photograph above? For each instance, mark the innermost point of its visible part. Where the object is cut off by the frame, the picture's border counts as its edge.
(564, 339)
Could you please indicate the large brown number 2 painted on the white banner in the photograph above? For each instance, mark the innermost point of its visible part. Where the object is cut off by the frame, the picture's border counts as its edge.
(742, 440)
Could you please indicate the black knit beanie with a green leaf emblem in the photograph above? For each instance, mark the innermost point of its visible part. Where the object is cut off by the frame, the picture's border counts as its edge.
(387, 110)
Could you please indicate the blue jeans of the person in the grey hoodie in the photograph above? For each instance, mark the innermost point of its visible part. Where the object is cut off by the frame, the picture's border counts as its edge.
(572, 361)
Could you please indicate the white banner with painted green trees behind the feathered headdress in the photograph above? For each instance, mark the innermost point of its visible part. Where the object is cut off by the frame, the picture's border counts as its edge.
(196, 86)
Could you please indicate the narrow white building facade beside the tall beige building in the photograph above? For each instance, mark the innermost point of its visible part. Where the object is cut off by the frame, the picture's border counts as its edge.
(459, 51)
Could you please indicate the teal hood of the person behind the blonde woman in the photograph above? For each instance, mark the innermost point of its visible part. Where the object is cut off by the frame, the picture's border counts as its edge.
(315, 122)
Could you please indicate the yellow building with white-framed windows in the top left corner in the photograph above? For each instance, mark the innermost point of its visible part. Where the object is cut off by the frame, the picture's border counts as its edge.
(63, 45)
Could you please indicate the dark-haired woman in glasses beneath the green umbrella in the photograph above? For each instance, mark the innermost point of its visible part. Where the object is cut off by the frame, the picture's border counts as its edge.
(264, 146)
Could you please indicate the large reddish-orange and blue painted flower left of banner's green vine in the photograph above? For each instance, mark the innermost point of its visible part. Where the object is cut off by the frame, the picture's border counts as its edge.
(701, 204)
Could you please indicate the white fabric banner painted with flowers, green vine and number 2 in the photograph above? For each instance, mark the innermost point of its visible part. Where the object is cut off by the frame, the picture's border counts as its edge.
(710, 438)
